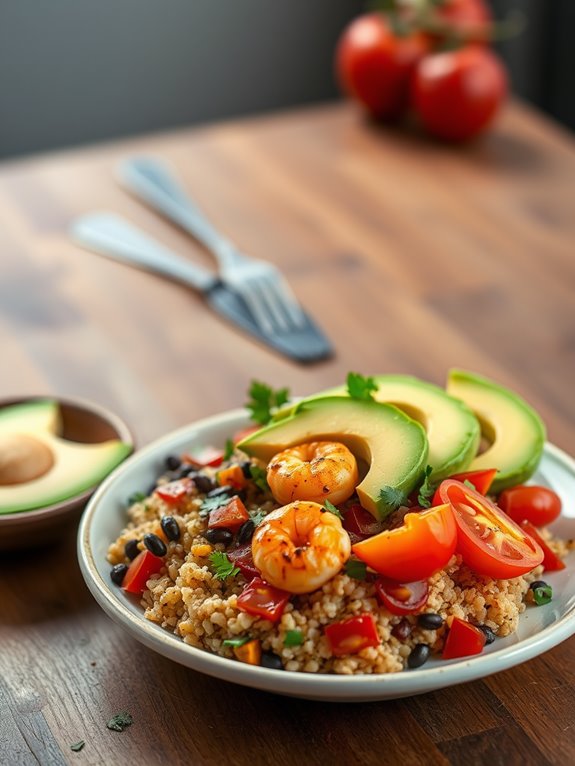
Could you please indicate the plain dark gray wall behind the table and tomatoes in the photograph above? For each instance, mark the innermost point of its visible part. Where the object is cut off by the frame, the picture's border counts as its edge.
(75, 71)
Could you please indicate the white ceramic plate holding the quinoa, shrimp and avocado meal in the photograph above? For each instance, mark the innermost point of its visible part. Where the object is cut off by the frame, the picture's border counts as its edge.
(540, 628)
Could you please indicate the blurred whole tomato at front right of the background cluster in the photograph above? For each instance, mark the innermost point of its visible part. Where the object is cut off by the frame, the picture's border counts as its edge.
(458, 93)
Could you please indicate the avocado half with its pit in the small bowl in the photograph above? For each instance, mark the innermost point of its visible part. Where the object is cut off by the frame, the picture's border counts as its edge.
(38, 468)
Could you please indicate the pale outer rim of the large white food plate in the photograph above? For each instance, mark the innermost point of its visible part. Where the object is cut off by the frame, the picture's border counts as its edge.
(318, 686)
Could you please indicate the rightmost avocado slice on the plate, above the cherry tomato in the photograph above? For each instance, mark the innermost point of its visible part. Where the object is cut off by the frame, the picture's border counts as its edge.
(515, 432)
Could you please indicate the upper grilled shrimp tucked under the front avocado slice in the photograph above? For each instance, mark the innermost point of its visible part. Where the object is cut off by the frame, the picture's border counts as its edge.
(317, 471)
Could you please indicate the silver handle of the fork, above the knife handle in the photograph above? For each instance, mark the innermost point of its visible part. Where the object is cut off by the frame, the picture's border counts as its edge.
(153, 181)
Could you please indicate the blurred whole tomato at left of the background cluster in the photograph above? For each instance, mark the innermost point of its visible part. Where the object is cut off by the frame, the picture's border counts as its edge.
(374, 65)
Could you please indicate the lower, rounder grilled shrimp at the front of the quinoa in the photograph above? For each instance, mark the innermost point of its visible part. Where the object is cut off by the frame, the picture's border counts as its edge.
(300, 547)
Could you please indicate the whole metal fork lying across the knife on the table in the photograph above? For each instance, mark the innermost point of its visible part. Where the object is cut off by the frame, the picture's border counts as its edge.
(261, 285)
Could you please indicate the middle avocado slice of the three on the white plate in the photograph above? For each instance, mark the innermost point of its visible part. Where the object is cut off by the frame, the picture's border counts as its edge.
(453, 431)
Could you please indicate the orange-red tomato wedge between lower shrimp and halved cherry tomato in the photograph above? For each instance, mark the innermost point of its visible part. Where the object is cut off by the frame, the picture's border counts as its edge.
(415, 551)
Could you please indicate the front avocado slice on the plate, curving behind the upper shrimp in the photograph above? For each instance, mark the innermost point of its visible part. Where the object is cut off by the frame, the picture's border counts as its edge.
(393, 446)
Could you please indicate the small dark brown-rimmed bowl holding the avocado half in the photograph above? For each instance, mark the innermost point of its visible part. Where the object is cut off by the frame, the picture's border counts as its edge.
(83, 422)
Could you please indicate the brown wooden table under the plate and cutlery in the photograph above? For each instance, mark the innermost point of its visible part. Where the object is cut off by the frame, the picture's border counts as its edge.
(414, 257)
